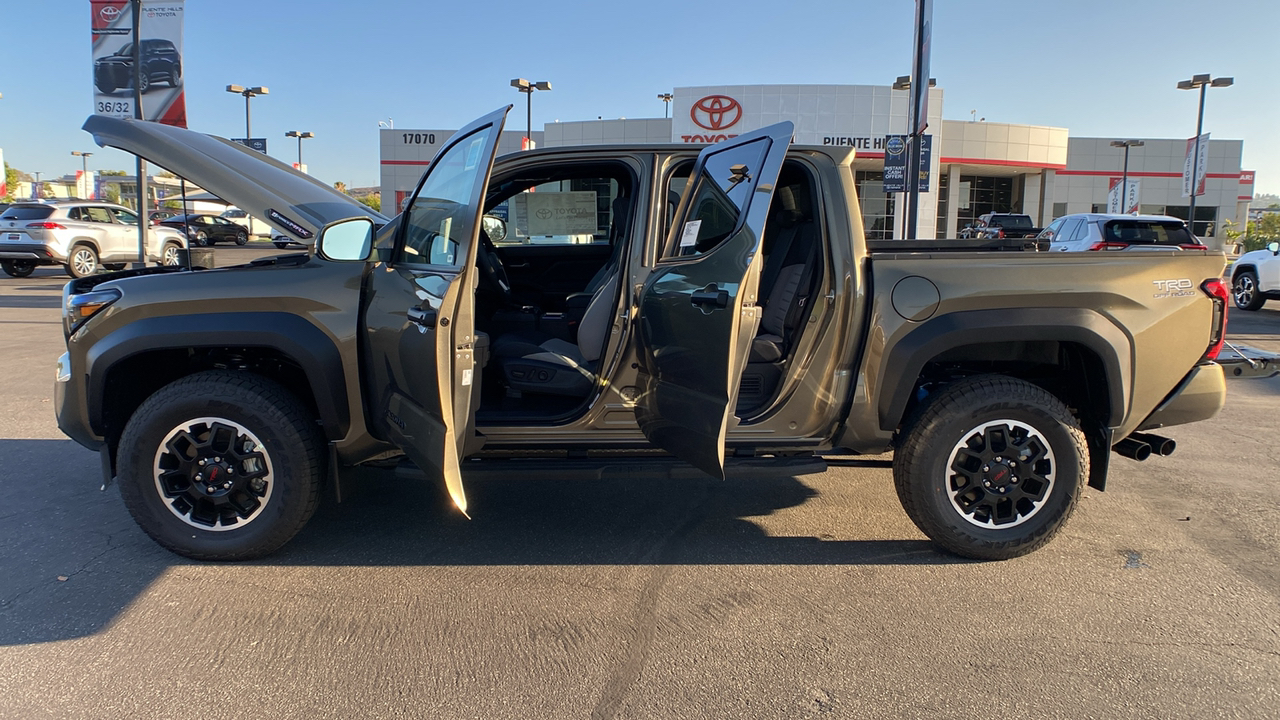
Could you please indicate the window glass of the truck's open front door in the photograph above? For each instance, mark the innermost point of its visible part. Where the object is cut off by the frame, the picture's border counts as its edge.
(441, 217)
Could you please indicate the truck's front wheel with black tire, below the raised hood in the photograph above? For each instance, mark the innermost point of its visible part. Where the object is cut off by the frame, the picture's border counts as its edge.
(221, 466)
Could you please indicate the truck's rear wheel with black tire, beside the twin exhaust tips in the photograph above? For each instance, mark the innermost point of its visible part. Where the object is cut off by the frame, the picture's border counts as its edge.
(991, 468)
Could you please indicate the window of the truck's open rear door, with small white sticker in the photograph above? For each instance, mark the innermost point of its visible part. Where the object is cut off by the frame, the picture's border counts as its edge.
(720, 194)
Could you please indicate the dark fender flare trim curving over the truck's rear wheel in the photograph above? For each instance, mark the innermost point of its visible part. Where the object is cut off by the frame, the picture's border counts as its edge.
(903, 364)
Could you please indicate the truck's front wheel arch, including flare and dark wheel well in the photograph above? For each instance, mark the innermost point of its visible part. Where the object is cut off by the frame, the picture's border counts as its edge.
(134, 362)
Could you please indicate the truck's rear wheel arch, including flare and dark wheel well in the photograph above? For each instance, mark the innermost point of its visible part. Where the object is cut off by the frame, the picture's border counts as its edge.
(1084, 349)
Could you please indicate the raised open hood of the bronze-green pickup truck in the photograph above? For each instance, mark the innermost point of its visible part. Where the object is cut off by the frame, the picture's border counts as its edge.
(291, 202)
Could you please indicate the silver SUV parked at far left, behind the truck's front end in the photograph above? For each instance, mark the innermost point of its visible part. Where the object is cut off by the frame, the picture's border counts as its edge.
(84, 236)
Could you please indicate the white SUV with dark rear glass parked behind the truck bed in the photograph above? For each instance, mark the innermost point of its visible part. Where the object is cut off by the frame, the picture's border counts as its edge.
(1095, 231)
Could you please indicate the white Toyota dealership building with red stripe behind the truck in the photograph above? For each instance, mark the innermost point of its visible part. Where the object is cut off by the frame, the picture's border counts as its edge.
(975, 167)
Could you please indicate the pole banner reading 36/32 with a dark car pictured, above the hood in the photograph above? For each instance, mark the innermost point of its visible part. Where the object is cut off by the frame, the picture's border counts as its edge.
(161, 38)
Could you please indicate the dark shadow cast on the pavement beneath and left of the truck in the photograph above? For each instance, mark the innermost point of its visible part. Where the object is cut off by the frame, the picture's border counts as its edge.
(72, 559)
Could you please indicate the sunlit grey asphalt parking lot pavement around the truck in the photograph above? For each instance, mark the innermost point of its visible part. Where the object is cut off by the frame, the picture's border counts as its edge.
(788, 598)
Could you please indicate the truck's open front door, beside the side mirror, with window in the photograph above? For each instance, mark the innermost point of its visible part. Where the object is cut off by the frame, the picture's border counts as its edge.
(420, 313)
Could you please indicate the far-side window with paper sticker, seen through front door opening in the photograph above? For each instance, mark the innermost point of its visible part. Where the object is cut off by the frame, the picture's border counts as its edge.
(583, 211)
